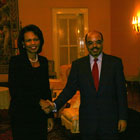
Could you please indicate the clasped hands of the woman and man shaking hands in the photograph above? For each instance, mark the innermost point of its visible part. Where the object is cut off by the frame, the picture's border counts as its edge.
(47, 106)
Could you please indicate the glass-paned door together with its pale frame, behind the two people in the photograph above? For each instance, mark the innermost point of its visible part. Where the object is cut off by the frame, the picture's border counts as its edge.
(69, 28)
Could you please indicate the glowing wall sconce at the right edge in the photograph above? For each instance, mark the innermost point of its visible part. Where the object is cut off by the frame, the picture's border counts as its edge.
(136, 23)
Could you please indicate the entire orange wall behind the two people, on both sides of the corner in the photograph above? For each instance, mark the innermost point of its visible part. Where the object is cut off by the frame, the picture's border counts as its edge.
(112, 18)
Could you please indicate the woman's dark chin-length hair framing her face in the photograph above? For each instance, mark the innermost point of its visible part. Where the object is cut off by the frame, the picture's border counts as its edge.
(36, 30)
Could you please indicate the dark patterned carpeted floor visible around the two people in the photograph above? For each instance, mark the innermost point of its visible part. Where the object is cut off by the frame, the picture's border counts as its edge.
(60, 133)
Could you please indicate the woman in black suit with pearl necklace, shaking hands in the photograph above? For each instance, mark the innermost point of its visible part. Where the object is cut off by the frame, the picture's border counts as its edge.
(29, 85)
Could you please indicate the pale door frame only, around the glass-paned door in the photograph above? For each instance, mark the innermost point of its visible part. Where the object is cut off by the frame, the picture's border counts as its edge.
(55, 12)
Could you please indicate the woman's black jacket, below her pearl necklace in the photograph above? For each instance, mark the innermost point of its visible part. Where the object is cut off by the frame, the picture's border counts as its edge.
(27, 85)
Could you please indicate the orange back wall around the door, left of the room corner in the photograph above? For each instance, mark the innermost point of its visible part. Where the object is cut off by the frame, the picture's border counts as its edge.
(40, 13)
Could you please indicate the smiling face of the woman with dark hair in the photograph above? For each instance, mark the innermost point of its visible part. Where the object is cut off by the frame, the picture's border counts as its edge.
(31, 42)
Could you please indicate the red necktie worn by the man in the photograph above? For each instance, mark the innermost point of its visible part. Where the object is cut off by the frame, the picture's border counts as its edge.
(95, 74)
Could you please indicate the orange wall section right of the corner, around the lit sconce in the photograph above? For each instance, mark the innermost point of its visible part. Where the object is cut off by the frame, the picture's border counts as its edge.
(124, 41)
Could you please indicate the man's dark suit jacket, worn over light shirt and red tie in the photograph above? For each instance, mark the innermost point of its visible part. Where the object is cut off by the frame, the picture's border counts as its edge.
(102, 108)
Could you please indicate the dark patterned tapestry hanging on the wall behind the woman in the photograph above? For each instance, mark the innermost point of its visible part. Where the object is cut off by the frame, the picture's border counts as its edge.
(9, 29)
